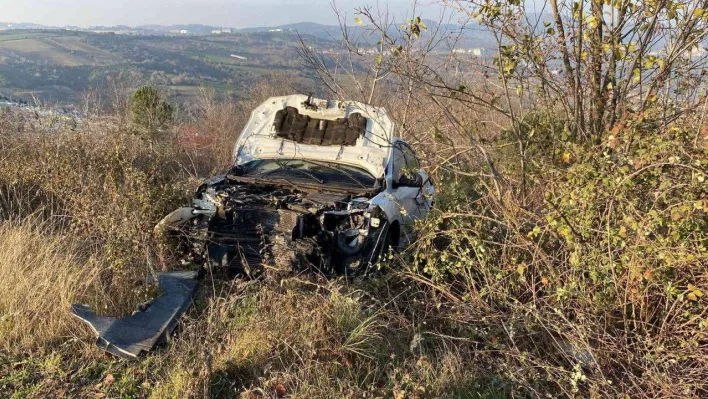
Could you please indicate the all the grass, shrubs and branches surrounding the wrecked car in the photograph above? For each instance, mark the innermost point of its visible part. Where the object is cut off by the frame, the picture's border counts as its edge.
(565, 257)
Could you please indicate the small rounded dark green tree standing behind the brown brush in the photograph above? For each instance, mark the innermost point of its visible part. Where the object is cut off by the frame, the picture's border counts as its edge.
(150, 114)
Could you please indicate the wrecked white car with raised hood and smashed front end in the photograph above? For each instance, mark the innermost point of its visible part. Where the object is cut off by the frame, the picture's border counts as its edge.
(314, 182)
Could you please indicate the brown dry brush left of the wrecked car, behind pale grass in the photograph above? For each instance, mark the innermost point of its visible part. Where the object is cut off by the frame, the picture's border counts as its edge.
(106, 188)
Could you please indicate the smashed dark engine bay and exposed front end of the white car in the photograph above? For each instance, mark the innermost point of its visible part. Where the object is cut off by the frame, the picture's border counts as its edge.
(242, 227)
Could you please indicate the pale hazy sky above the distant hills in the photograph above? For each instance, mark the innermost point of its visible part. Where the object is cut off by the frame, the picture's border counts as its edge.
(230, 13)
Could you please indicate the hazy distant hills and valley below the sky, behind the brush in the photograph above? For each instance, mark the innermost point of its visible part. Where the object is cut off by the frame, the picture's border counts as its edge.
(58, 64)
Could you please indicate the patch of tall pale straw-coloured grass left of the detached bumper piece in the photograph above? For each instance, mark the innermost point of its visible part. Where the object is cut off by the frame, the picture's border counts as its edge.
(41, 275)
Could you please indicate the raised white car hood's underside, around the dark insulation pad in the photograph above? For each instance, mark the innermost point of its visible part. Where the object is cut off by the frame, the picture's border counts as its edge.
(371, 153)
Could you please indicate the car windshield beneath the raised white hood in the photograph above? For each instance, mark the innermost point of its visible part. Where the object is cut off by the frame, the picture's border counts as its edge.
(308, 171)
